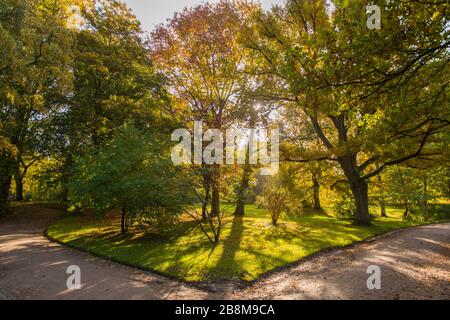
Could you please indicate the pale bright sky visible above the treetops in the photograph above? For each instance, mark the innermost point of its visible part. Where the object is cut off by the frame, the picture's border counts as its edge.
(153, 12)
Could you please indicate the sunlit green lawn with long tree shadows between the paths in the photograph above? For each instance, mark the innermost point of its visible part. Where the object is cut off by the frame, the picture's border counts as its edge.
(250, 246)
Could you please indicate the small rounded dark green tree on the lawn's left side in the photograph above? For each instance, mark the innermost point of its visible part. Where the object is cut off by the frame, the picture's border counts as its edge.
(134, 173)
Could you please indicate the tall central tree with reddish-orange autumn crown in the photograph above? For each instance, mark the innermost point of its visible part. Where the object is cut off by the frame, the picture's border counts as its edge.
(199, 53)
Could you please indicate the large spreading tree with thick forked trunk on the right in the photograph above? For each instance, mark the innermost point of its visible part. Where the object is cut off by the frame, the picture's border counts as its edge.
(354, 84)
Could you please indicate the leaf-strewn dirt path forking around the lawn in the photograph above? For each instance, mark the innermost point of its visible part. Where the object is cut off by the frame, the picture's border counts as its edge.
(414, 263)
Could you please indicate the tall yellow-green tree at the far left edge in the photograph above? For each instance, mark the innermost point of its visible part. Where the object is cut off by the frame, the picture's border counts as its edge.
(34, 68)
